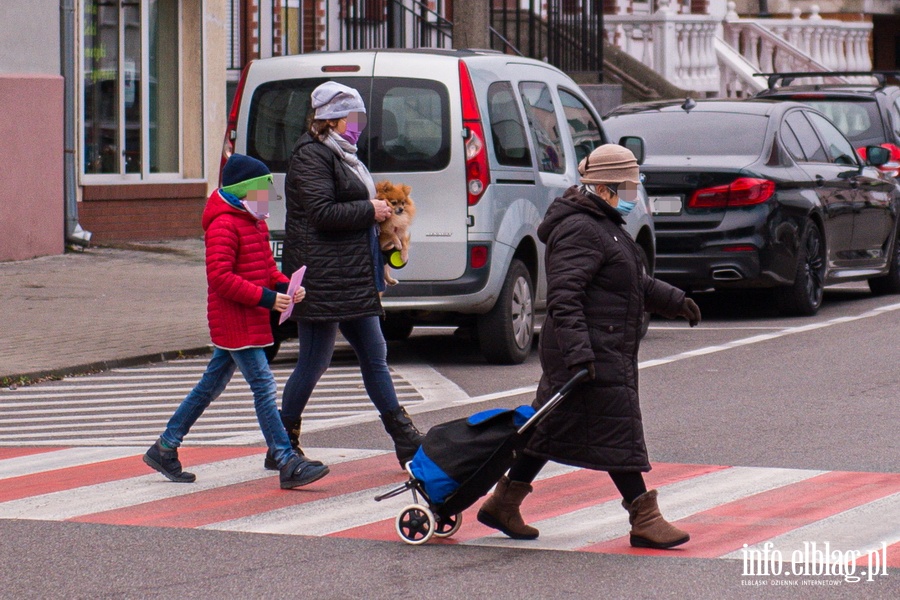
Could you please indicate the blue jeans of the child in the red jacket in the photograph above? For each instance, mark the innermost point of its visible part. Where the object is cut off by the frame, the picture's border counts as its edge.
(253, 365)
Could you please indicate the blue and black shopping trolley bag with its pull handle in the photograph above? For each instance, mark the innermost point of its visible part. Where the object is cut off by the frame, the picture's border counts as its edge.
(461, 460)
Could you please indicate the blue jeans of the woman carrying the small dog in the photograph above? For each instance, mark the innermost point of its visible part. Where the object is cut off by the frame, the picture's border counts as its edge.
(316, 342)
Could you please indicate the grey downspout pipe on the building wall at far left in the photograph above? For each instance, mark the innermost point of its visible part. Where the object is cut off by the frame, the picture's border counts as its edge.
(74, 234)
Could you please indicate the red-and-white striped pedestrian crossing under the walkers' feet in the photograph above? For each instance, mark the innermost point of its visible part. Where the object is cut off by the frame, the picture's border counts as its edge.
(722, 507)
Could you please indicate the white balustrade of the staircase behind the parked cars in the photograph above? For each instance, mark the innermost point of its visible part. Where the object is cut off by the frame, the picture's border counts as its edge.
(686, 49)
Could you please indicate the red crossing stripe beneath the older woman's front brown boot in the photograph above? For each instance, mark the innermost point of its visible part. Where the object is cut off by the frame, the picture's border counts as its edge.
(726, 528)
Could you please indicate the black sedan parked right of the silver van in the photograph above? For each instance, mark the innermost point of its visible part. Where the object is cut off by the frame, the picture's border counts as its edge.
(763, 194)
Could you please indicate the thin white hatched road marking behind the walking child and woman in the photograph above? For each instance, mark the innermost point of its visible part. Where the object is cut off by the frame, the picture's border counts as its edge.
(132, 405)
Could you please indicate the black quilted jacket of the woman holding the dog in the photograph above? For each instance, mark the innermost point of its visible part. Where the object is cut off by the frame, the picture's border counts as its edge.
(329, 228)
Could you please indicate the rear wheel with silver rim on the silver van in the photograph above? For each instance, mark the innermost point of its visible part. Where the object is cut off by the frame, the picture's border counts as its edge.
(507, 331)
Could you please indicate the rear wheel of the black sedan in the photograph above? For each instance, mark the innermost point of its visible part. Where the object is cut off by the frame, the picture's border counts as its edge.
(804, 296)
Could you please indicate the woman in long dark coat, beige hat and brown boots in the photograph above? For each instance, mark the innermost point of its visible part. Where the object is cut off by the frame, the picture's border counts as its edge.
(597, 293)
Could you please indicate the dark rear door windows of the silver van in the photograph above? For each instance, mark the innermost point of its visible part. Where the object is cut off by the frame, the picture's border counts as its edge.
(408, 128)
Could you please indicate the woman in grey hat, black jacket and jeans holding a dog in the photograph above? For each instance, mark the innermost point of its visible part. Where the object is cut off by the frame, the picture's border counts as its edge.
(331, 228)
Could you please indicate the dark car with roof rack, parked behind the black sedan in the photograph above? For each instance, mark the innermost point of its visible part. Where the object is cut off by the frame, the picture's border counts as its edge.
(868, 114)
